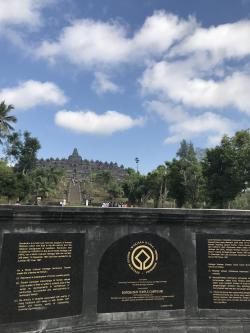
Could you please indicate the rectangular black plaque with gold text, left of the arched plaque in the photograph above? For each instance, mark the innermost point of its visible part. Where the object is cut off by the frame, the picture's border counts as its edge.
(41, 276)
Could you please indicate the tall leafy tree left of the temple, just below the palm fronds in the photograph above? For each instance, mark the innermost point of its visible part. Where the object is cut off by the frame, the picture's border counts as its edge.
(23, 149)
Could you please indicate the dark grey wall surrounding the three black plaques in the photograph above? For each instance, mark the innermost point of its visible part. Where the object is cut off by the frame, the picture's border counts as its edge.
(103, 227)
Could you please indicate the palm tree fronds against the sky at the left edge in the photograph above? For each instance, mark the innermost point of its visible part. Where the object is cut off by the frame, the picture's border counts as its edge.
(6, 120)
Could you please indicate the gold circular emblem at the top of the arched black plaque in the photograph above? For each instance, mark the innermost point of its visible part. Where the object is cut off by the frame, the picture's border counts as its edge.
(142, 257)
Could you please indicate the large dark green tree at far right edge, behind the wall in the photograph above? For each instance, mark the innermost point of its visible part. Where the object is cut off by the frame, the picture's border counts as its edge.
(227, 169)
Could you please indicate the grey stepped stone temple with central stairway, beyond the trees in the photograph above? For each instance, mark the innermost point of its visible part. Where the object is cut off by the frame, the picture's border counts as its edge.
(78, 171)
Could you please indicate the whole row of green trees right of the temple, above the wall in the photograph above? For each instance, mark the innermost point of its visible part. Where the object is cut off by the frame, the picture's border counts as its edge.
(218, 177)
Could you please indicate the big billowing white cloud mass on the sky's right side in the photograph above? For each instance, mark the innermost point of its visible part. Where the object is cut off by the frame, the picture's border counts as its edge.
(197, 76)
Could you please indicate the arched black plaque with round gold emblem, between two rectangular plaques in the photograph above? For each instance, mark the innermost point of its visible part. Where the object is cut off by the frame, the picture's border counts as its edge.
(140, 272)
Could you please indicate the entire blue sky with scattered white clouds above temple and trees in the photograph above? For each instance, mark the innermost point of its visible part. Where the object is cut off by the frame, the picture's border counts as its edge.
(125, 79)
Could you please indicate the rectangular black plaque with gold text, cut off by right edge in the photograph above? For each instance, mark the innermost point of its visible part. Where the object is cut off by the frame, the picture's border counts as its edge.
(223, 271)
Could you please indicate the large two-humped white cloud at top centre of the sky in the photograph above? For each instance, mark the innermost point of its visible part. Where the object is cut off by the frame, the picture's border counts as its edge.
(89, 43)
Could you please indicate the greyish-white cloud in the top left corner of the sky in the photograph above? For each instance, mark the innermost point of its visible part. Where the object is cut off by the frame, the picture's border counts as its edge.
(26, 12)
